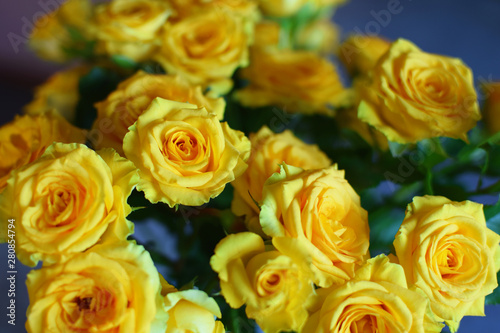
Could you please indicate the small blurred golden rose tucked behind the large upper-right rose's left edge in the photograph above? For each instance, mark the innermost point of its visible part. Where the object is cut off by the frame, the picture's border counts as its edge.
(360, 53)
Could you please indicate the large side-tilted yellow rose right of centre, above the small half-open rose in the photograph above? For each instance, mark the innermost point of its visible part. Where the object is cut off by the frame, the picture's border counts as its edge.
(320, 207)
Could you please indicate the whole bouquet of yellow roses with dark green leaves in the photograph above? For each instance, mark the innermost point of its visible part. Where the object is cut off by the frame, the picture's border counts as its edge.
(281, 184)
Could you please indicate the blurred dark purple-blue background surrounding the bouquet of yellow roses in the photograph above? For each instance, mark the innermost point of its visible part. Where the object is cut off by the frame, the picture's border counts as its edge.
(459, 28)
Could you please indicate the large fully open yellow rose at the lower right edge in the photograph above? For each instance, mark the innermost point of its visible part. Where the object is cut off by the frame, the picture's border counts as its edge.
(447, 251)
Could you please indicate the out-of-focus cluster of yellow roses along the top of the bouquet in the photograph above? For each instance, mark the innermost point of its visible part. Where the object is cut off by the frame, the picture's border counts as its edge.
(205, 42)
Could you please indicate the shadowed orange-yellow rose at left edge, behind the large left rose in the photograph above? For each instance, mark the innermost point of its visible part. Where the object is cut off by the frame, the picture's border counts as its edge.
(25, 139)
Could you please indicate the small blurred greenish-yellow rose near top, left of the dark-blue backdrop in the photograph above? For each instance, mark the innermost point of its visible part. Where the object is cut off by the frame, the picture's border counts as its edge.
(320, 36)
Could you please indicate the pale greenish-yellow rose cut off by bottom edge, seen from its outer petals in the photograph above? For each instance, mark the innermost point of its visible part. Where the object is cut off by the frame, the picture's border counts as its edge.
(192, 311)
